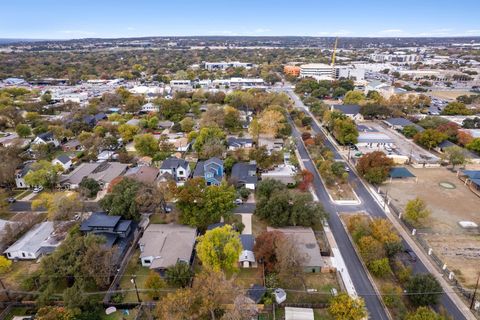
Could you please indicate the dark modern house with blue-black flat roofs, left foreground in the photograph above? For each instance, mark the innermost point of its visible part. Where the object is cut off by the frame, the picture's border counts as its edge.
(116, 231)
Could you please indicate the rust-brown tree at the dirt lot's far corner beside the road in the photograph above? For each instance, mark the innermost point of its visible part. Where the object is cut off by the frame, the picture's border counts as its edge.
(374, 167)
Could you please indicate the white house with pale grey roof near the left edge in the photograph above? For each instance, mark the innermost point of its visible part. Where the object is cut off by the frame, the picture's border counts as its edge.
(40, 240)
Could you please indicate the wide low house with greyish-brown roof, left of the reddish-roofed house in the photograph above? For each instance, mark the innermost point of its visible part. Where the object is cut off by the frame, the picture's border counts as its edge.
(102, 172)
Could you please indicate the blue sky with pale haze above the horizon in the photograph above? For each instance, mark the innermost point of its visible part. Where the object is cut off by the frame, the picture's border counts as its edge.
(66, 19)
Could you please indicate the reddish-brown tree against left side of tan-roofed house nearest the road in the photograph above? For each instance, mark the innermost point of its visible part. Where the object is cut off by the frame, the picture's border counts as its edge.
(265, 248)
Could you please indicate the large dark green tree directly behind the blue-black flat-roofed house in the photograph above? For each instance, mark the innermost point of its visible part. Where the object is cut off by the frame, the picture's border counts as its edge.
(121, 200)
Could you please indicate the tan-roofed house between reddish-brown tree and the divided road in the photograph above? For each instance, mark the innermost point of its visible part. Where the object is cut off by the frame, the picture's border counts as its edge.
(307, 244)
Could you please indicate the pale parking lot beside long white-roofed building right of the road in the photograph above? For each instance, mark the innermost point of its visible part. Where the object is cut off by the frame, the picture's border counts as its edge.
(400, 145)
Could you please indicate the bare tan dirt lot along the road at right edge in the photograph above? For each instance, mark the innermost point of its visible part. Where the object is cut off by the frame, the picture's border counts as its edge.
(457, 247)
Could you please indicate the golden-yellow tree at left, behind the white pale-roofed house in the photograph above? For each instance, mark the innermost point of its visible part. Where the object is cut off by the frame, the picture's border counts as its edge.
(59, 205)
